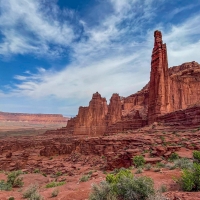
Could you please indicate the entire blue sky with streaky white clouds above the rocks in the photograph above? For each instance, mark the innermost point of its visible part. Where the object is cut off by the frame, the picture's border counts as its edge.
(54, 54)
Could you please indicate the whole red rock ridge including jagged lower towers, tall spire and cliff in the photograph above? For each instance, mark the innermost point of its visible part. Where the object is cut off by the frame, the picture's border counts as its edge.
(169, 90)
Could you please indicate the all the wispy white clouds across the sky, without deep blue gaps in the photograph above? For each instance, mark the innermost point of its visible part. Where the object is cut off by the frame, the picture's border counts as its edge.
(111, 56)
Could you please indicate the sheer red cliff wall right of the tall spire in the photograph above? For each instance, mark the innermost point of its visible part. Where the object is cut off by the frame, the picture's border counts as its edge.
(184, 81)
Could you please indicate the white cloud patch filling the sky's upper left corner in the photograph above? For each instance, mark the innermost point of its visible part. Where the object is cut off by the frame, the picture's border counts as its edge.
(27, 27)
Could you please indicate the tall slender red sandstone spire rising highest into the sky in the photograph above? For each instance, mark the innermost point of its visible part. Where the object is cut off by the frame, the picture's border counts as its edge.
(159, 78)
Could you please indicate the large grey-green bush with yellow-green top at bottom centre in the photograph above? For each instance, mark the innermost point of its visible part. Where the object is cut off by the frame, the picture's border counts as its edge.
(123, 185)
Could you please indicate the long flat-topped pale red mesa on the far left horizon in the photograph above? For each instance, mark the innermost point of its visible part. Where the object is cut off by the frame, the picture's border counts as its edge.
(4, 116)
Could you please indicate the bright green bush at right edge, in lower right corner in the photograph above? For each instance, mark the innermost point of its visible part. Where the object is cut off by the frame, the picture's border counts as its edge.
(190, 178)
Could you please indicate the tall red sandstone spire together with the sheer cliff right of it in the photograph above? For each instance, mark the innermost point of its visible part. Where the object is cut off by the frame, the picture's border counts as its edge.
(171, 89)
